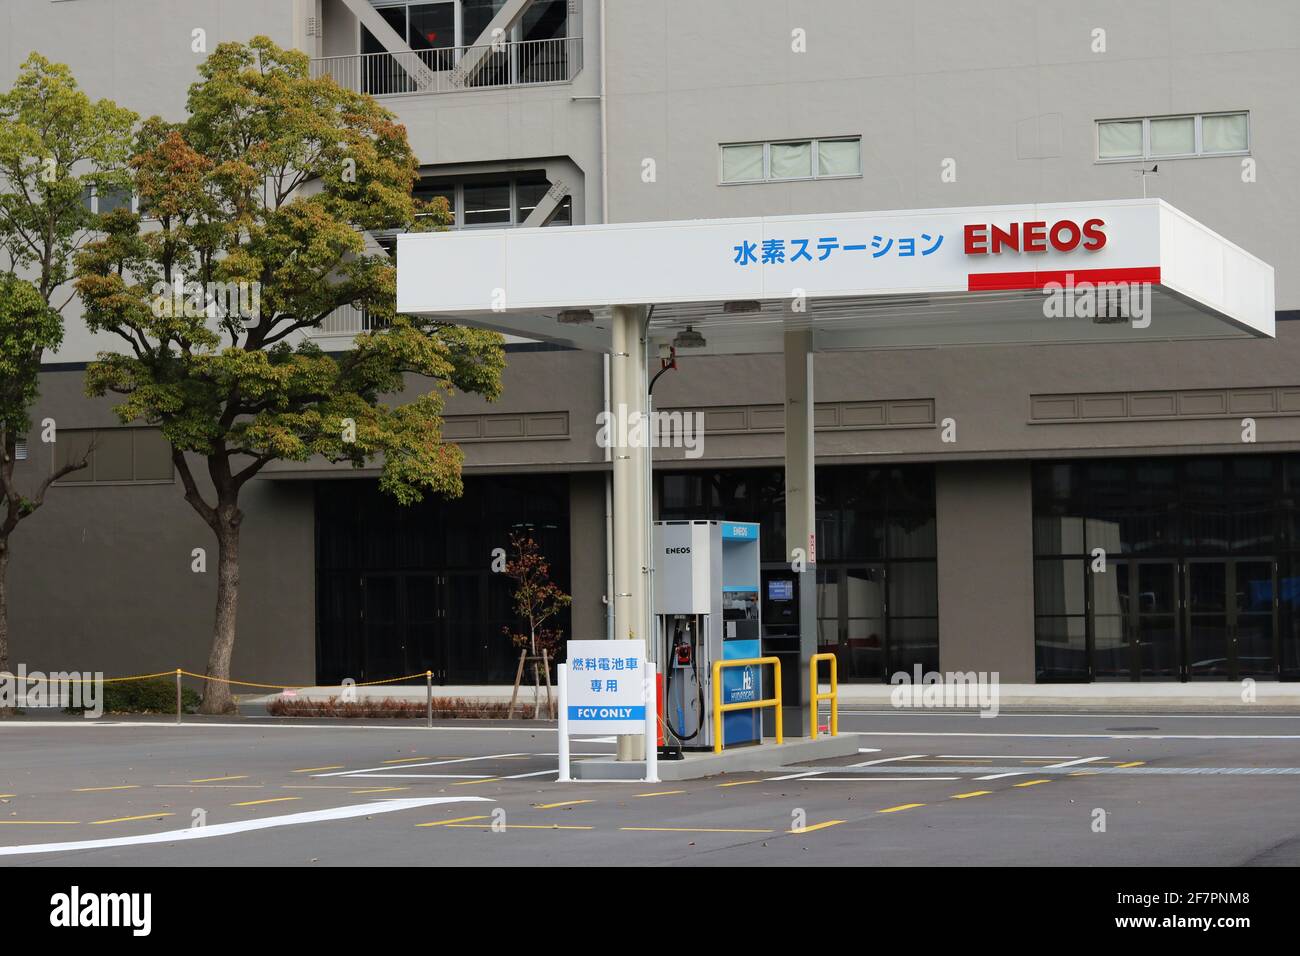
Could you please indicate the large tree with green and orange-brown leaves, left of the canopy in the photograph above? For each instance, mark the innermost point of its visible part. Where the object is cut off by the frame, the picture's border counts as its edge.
(259, 204)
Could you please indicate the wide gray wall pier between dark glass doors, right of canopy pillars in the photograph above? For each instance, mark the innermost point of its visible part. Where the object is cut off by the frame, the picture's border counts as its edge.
(986, 573)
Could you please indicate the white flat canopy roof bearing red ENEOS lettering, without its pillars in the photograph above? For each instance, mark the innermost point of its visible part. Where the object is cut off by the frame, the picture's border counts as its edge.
(870, 280)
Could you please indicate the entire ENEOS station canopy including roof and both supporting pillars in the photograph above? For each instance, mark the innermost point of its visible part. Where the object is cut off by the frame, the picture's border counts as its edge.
(1035, 275)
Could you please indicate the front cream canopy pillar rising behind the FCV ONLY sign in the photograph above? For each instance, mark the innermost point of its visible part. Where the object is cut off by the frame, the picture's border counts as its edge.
(631, 491)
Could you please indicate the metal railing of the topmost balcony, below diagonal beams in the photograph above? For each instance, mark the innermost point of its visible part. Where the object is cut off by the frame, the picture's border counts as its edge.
(453, 70)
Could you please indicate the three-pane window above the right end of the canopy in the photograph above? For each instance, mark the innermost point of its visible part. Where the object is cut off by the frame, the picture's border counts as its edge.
(1173, 137)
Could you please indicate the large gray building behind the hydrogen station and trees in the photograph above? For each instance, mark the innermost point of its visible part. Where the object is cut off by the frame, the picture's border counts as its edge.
(965, 548)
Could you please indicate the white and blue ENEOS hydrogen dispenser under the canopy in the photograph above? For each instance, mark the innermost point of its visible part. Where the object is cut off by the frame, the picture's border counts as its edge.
(708, 609)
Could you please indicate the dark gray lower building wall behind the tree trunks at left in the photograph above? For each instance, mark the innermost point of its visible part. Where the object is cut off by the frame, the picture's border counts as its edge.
(102, 579)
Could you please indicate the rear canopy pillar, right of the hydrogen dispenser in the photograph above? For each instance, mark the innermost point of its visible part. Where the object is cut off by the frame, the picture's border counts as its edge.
(801, 517)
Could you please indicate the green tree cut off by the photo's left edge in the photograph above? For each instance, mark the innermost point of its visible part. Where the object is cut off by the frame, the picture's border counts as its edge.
(57, 148)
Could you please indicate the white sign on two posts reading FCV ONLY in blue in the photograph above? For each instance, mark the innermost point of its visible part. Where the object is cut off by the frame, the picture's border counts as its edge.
(608, 687)
